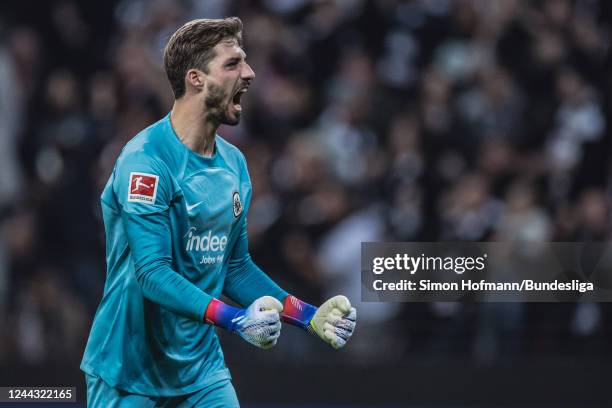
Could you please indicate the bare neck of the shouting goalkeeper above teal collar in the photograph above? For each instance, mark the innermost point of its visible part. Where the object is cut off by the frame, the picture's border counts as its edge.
(192, 126)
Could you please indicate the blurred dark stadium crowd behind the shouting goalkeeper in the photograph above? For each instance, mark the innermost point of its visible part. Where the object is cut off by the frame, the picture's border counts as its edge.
(368, 120)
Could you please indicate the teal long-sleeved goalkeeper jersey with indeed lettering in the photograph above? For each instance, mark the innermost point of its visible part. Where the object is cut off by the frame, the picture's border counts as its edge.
(176, 237)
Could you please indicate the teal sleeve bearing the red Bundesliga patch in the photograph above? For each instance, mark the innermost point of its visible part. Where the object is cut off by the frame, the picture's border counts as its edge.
(144, 189)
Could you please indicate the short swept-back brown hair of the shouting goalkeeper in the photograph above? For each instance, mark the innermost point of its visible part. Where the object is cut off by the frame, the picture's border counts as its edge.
(191, 46)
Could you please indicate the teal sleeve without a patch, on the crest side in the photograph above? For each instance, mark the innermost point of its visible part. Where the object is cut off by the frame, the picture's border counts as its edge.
(245, 281)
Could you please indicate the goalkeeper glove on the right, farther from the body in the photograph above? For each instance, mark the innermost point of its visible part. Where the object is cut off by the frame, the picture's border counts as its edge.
(334, 321)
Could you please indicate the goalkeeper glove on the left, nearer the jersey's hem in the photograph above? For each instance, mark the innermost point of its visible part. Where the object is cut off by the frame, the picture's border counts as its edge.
(259, 324)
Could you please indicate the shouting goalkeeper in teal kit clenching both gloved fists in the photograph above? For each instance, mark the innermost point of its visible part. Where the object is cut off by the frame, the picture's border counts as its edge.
(175, 210)
